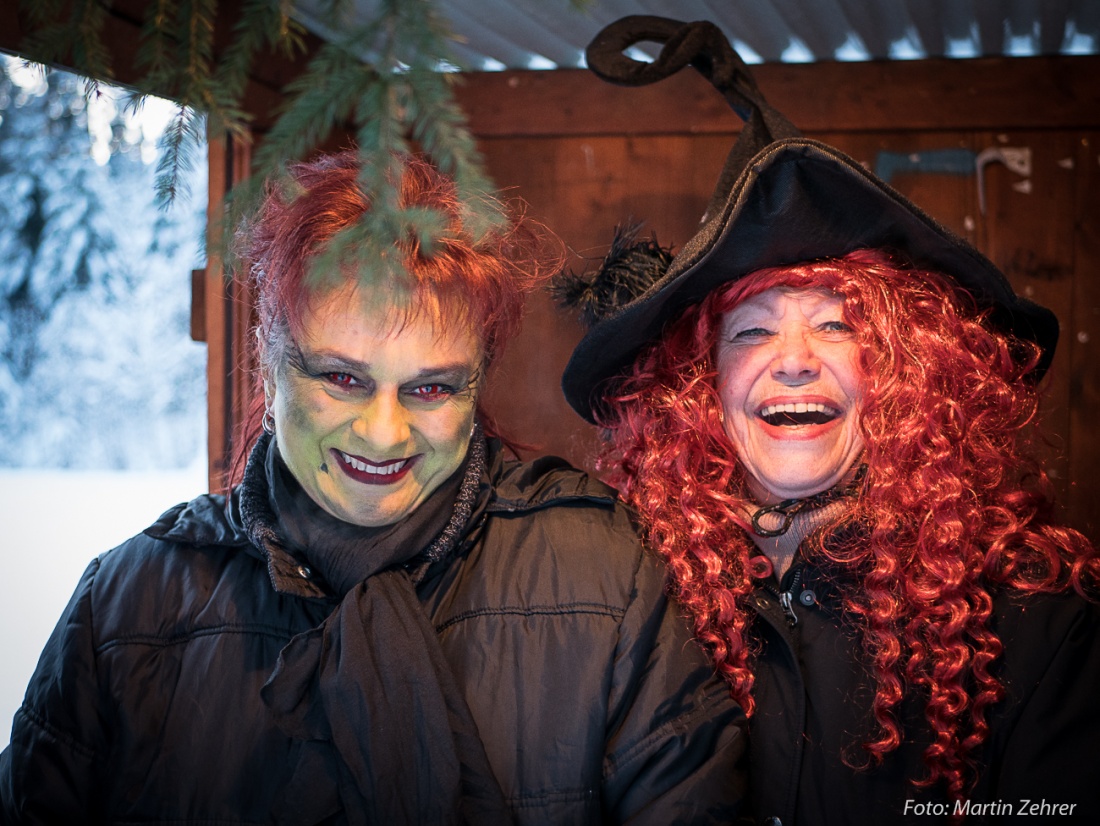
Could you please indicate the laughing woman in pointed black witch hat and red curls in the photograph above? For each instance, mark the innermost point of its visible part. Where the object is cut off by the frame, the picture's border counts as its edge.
(828, 445)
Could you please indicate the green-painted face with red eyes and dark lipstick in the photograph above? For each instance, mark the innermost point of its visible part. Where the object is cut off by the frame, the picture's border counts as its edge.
(373, 411)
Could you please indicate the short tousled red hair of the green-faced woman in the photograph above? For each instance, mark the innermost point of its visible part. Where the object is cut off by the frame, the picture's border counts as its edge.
(482, 281)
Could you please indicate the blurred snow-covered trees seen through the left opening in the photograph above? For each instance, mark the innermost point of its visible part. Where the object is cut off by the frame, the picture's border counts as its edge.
(97, 368)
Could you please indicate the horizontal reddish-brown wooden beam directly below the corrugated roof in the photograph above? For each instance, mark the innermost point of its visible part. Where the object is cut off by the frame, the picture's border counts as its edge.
(1021, 93)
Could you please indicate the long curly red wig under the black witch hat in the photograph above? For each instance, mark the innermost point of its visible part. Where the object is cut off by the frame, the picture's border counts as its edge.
(951, 508)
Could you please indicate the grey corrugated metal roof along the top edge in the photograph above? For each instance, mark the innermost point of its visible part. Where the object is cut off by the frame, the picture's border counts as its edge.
(547, 35)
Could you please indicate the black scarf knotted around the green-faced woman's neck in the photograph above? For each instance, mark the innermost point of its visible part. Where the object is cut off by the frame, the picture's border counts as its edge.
(369, 693)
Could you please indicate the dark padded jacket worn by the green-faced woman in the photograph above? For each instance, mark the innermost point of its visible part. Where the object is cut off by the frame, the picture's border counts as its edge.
(595, 704)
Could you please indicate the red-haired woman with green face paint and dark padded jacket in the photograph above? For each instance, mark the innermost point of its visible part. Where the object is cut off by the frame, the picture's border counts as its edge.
(386, 621)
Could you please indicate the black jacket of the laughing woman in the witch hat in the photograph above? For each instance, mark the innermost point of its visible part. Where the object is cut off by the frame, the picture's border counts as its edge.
(813, 696)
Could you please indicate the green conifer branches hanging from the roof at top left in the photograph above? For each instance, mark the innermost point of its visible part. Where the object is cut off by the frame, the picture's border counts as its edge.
(378, 74)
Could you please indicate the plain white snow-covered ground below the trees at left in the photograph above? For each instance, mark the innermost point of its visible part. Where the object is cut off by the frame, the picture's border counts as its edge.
(52, 524)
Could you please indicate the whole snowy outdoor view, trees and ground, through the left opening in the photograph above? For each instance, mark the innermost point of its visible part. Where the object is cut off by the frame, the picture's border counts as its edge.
(103, 393)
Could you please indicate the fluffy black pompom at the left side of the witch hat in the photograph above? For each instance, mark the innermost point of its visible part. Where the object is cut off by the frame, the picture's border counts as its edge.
(628, 273)
